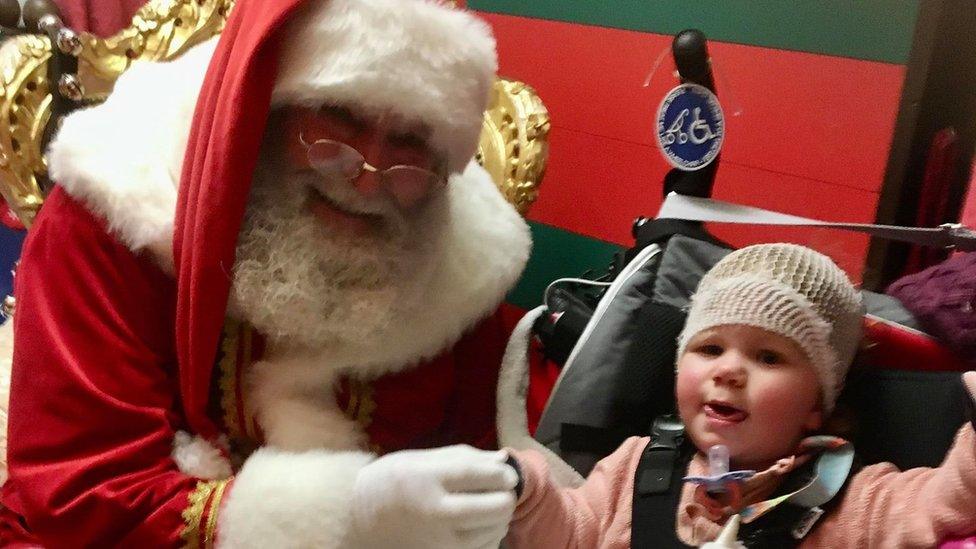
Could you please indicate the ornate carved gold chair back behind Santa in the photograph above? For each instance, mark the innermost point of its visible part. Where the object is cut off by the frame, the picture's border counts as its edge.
(46, 75)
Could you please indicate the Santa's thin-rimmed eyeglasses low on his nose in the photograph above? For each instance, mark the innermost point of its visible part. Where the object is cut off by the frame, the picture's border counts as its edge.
(408, 185)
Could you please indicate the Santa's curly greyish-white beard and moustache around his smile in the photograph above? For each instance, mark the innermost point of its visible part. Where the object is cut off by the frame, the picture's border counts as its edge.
(306, 287)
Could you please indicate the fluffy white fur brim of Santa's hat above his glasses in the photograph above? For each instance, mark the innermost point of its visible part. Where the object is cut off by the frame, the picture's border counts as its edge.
(417, 58)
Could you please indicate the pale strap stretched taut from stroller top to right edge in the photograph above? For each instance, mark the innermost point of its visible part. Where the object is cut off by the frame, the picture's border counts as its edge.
(677, 206)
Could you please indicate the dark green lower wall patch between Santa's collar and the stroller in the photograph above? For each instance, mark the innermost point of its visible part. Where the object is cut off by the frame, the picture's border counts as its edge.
(557, 253)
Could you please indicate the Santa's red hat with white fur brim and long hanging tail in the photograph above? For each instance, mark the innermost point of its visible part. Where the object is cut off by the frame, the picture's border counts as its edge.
(420, 59)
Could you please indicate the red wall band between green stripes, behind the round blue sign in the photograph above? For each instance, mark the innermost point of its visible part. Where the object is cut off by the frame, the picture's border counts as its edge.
(812, 139)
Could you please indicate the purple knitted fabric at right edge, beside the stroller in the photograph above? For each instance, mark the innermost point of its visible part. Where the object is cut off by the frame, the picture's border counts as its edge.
(943, 299)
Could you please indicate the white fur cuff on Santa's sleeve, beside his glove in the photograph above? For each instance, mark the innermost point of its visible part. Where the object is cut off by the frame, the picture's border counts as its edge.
(287, 499)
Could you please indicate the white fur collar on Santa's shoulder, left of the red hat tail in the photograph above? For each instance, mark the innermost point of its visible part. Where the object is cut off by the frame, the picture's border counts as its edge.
(123, 158)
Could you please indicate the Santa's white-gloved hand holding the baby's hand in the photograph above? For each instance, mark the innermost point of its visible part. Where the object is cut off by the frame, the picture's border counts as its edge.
(454, 497)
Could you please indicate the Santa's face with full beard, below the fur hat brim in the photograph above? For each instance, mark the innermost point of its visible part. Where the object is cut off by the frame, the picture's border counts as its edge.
(324, 258)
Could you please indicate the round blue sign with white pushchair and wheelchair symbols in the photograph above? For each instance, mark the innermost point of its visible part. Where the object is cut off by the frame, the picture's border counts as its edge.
(690, 127)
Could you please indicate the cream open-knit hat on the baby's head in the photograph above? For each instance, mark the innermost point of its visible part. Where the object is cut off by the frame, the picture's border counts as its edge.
(789, 290)
